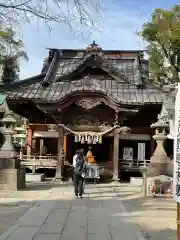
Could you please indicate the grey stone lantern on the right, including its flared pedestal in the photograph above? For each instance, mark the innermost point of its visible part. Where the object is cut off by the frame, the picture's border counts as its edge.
(160, 162)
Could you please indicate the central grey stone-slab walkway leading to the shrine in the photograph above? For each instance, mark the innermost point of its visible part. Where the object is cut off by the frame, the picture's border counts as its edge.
(100, 215)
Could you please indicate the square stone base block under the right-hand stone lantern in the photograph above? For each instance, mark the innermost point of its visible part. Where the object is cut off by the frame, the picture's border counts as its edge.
(156, 169)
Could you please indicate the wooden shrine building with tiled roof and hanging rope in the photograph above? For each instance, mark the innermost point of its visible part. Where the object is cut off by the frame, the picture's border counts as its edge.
(84, 98)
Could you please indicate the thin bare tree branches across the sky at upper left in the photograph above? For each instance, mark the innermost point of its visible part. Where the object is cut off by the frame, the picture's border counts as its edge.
(84, 13)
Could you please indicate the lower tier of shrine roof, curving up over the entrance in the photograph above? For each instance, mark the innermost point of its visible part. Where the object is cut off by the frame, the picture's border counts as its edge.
(119, 92)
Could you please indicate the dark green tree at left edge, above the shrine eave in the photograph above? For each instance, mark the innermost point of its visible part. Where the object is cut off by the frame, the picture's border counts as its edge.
(11, 54)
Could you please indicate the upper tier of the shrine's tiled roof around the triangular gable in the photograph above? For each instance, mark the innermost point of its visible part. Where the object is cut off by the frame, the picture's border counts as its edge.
(65, 65)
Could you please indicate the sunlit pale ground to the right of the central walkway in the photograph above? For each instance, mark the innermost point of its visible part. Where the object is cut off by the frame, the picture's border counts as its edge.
(156, 217)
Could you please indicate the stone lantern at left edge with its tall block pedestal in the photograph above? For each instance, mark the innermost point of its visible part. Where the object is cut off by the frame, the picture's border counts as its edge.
(12, 175)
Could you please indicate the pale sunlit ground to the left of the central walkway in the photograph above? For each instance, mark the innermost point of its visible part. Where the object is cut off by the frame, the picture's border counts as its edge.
(13, 204)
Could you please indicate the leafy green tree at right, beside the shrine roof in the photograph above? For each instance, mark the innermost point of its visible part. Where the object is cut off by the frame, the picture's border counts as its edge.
(162, 35)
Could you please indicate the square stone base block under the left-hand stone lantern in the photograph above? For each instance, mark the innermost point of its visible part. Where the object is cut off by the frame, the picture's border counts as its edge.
(12, 179)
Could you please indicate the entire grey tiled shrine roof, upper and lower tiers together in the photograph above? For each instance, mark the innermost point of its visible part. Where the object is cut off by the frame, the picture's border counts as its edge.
(57, 80)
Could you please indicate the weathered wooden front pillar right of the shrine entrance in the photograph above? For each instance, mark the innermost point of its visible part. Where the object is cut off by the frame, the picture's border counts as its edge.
(116, 156)
